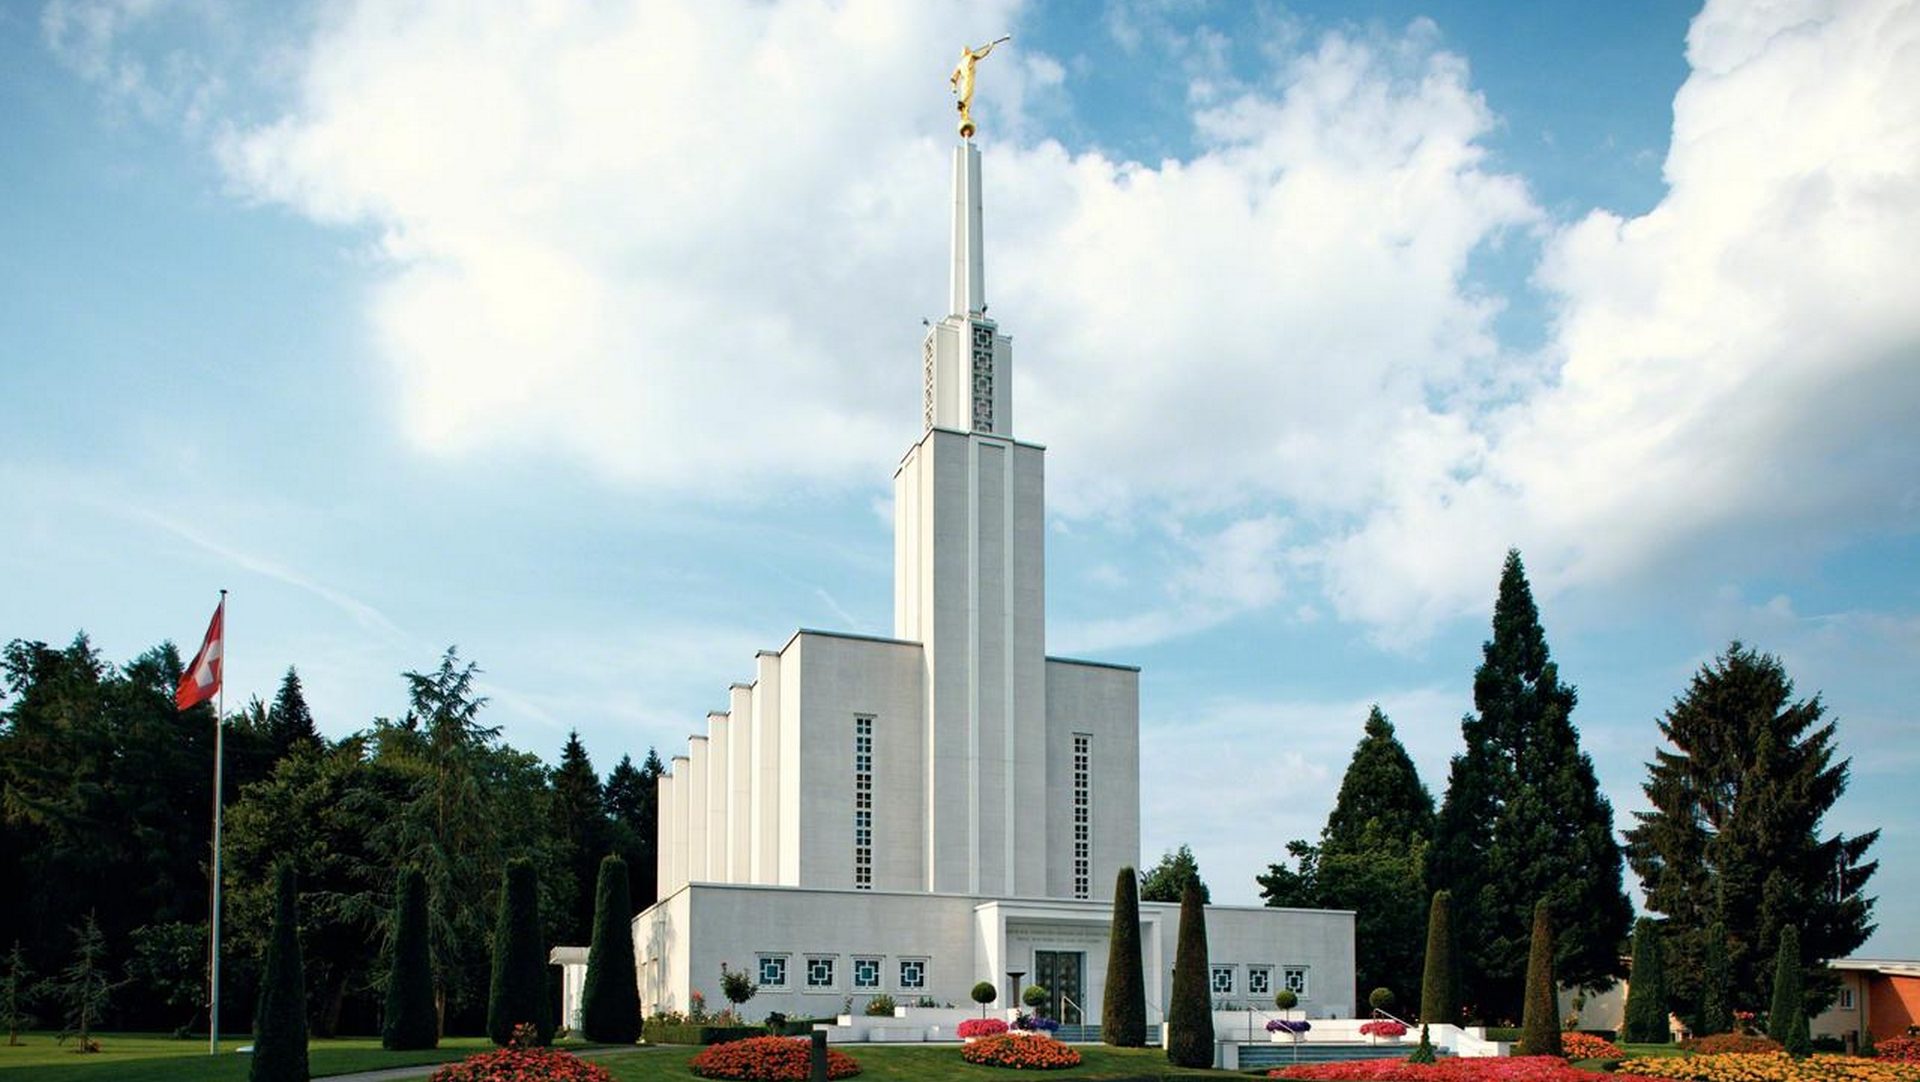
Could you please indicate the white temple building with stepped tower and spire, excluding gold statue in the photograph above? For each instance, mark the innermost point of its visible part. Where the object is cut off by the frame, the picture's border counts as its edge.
(951, 805)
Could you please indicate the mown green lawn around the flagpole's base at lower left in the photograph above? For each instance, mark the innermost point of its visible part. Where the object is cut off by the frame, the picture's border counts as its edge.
(153, 1058)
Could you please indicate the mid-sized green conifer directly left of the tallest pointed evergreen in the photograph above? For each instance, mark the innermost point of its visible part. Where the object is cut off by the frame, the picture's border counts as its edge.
(1370, 859)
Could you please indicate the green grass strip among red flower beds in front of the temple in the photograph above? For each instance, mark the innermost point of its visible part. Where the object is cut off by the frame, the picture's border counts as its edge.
(932, 1064)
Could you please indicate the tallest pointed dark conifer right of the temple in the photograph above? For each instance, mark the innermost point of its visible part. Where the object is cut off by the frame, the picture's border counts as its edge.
(1524, 820)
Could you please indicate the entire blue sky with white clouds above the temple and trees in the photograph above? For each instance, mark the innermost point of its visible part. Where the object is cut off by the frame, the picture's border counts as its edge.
(587, 341)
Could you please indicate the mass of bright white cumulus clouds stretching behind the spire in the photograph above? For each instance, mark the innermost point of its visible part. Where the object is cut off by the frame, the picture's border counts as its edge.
(684, 247)
